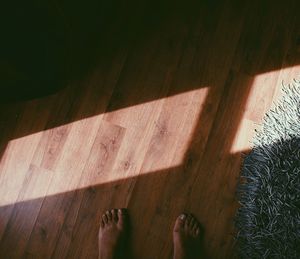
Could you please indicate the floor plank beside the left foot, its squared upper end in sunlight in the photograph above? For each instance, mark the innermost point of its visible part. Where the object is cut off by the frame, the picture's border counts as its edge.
(77, 226)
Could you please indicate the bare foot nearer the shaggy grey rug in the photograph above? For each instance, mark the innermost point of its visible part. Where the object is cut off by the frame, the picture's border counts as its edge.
(186, 237)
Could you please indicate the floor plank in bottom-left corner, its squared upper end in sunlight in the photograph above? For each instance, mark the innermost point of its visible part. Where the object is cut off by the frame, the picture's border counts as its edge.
(25, 212)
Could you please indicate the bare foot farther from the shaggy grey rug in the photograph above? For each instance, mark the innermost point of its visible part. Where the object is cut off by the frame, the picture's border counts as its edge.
(112, 234)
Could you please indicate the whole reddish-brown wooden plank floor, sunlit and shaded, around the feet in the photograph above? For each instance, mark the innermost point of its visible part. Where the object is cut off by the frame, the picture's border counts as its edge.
(157, 125)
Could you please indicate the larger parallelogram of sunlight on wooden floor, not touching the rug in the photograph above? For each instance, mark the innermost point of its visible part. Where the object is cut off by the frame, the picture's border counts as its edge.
(58, 160)
